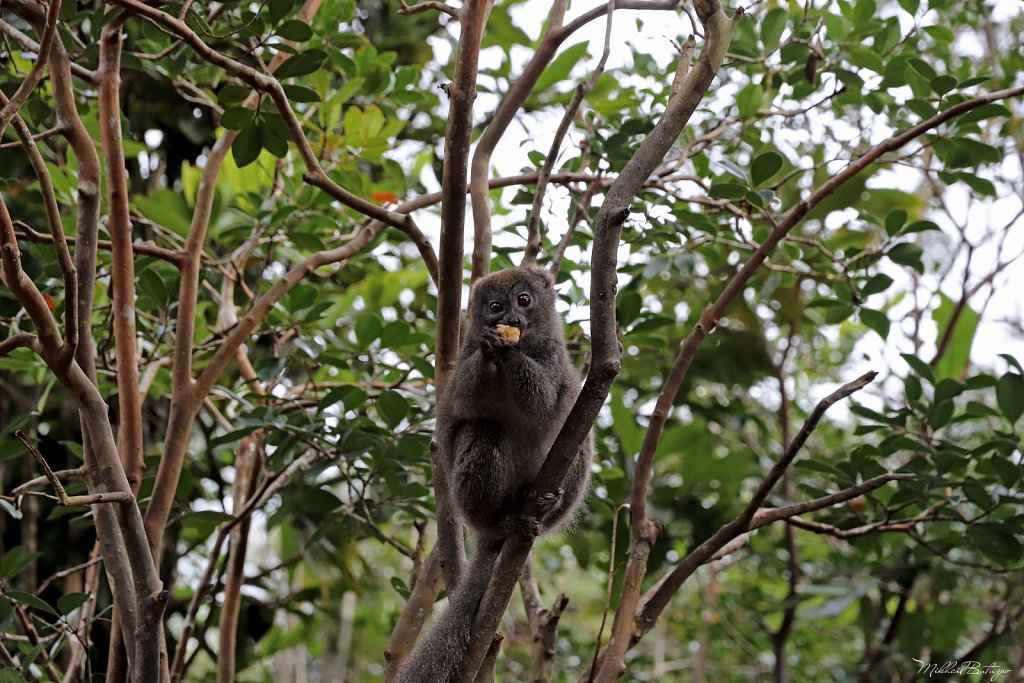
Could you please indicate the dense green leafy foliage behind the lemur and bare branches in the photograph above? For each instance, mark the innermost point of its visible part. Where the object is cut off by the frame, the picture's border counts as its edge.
(319, 429)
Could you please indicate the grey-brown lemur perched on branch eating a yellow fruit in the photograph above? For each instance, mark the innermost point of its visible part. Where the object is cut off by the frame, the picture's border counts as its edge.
(511, 391)
